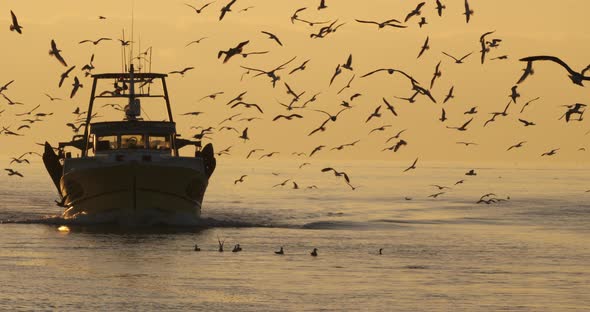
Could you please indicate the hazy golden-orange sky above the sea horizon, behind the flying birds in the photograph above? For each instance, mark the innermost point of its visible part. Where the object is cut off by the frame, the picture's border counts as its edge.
(526, 27)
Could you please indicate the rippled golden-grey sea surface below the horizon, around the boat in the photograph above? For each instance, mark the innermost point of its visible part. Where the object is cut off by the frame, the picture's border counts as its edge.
(529, 253)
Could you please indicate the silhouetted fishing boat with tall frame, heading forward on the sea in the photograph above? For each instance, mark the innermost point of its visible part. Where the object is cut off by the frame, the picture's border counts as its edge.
(130, 170)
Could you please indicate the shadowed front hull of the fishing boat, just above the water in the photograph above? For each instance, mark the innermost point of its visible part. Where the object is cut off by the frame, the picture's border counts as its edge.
(135, 192)
